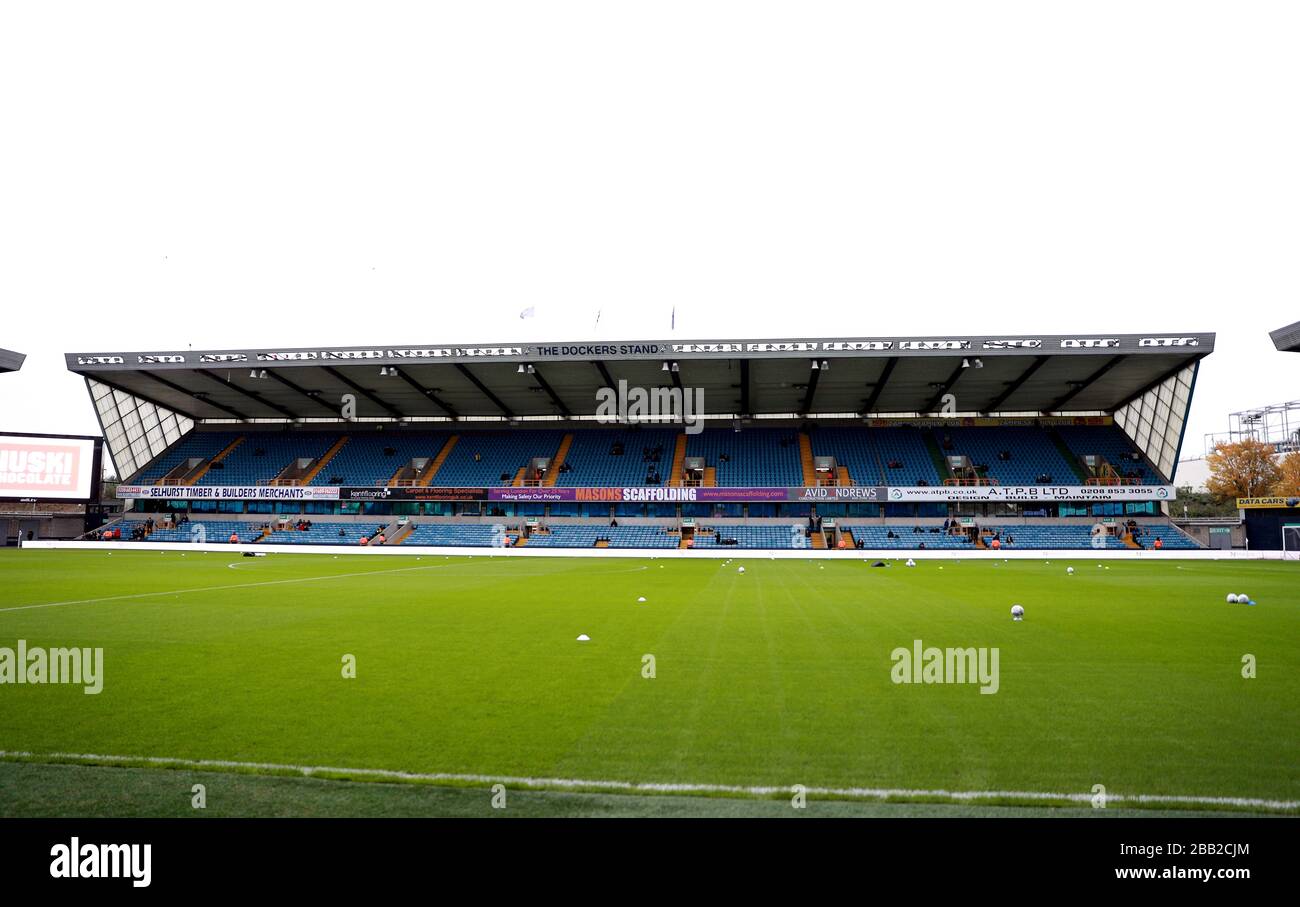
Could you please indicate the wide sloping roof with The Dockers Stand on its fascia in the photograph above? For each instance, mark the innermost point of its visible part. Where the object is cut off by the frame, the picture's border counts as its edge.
(1074, 374)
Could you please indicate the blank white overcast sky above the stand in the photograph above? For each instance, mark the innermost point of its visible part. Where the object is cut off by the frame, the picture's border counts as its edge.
(337, 173)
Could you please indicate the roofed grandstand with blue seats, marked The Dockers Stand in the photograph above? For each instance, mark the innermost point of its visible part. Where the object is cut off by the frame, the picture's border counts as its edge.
(866, 442)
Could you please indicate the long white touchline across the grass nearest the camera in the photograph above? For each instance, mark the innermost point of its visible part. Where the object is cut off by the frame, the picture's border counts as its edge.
(643, 788)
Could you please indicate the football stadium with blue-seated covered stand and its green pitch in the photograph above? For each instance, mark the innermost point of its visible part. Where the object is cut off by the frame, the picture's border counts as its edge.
(652, 578)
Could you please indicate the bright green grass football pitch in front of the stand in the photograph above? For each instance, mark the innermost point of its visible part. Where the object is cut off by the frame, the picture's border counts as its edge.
(722, 688)
